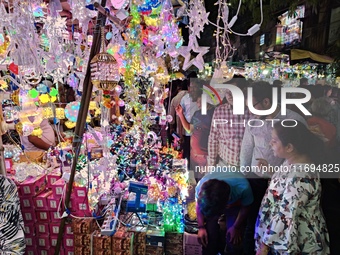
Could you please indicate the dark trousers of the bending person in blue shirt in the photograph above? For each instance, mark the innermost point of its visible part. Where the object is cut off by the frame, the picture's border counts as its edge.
(217, 241)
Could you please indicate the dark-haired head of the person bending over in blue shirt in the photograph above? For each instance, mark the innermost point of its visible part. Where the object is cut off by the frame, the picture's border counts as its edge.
(213, 197)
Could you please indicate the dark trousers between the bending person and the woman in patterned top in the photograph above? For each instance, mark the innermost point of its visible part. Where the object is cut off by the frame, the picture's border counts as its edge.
(259, 187)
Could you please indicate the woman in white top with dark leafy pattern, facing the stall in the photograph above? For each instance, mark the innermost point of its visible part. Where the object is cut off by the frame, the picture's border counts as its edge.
(290, 220)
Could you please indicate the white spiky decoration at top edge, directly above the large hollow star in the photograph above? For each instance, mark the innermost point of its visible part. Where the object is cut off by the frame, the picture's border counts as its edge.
(198, 17)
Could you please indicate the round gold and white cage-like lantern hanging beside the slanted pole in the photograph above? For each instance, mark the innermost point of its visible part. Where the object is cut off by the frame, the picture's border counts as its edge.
(104, 69)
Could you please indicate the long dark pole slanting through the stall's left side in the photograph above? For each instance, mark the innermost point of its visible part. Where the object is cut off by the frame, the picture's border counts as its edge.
(80, 125)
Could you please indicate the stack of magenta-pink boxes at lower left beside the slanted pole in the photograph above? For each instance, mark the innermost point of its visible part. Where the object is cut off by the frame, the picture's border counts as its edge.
(40, 200)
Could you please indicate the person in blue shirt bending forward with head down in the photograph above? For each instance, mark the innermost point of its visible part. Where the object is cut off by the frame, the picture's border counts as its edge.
(222, 196)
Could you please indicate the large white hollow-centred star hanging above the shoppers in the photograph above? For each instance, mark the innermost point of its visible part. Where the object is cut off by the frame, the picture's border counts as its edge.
(193, 46)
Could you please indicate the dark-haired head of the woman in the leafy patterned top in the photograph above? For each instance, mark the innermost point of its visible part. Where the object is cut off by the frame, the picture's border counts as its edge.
(299, 140)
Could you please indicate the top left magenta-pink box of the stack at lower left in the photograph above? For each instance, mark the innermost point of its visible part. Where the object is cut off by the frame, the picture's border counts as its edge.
(33, 186)
